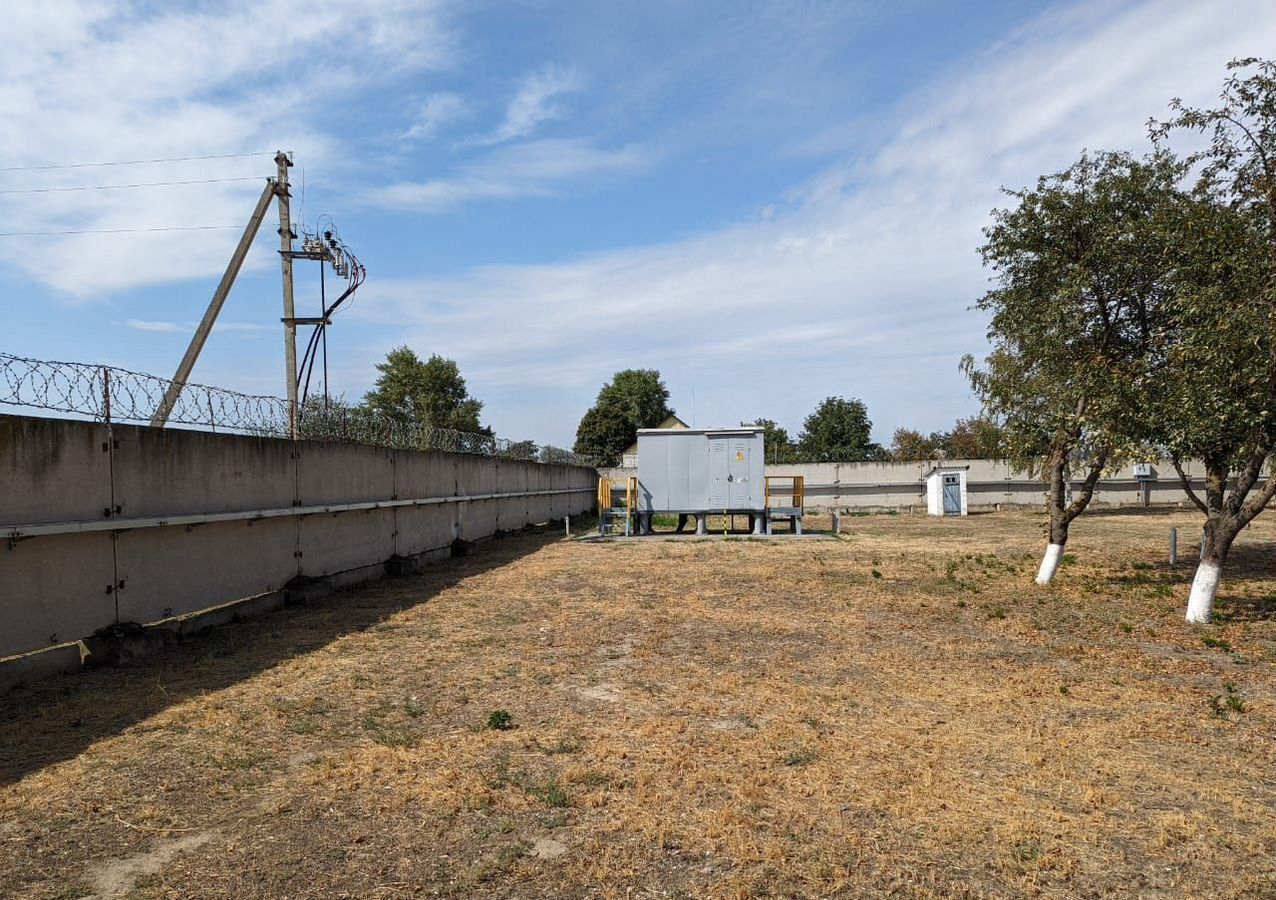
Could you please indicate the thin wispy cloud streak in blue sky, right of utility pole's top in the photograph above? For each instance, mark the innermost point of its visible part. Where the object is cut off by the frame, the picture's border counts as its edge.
(531, 169)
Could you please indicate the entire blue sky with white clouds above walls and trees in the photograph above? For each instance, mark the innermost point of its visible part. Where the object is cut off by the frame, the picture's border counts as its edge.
(770, 202)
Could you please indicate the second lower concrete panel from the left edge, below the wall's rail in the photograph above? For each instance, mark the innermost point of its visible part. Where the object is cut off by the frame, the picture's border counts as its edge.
(173, 571)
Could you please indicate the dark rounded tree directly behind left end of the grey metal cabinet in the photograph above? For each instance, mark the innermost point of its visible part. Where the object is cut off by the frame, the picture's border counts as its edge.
(634, 399)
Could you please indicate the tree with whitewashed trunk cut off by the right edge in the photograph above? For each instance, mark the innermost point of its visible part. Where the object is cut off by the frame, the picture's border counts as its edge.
(1215, 375)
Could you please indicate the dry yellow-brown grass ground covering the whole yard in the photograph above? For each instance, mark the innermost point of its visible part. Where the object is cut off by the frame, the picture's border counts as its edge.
(896, 713)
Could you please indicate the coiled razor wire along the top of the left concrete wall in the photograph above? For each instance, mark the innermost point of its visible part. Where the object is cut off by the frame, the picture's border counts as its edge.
(108, 394)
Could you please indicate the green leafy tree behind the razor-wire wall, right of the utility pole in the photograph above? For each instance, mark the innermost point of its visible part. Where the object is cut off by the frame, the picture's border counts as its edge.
(427, 394)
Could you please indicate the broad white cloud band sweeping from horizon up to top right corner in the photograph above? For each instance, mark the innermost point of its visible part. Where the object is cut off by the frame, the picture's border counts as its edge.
(862, 284)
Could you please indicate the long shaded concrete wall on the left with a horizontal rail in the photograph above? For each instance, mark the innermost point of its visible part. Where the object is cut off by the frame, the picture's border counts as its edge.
(135, 525)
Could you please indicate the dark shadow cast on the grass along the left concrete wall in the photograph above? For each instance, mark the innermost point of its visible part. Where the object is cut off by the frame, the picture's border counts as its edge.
(57, 719)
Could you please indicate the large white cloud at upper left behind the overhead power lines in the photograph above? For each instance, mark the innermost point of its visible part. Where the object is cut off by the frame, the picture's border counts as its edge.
(105, 80)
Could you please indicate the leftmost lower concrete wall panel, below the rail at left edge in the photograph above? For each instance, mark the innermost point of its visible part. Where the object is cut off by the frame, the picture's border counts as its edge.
(54, 589)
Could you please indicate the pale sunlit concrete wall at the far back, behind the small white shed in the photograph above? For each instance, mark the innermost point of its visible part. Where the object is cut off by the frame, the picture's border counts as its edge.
(990, 484)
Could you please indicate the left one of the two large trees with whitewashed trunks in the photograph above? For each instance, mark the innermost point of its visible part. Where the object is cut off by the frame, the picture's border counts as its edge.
(1078, 283)
